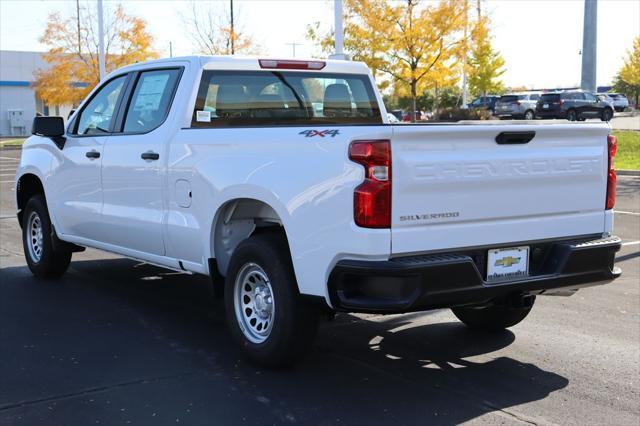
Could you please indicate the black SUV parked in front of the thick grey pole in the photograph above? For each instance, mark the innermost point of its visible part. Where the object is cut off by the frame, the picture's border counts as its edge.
(573, 106)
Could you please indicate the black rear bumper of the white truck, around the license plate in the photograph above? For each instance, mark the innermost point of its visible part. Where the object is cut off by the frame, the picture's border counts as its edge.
(434, 281)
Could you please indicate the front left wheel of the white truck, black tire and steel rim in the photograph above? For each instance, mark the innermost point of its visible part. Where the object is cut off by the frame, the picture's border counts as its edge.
(45, 259)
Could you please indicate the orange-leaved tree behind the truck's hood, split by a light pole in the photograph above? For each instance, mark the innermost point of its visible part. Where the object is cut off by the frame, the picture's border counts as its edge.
(73, 53)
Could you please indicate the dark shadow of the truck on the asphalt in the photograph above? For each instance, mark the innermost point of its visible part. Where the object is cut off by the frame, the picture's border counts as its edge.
(117, 341)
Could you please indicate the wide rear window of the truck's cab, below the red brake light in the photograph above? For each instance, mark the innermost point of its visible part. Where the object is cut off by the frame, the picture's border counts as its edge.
(262, 98)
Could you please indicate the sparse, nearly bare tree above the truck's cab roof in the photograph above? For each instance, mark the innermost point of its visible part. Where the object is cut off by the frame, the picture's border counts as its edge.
(211, 27)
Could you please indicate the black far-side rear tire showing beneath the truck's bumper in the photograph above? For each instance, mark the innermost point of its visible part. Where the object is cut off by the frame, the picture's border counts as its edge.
(495, 317)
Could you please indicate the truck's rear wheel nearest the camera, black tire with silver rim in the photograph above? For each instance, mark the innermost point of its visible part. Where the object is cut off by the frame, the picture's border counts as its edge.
(293, 322)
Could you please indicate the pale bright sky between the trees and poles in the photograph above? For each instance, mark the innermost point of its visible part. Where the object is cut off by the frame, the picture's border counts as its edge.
(540, 40)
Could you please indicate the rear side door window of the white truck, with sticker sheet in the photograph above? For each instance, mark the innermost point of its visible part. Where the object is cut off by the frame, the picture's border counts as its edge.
(151, 100)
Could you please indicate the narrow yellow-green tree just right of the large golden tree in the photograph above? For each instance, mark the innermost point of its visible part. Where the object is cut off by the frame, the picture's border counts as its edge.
(485, 65)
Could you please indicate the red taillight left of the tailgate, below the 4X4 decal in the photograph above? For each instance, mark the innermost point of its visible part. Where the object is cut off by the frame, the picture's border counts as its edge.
(372, 198)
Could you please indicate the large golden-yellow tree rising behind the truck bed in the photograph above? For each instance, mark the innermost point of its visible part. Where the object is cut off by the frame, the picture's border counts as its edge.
(413, 43)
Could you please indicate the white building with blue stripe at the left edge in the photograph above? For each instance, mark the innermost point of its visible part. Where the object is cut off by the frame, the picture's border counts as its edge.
(18, 100)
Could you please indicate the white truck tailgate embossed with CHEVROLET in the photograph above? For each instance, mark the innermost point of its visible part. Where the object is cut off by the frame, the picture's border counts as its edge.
(454, 186)
